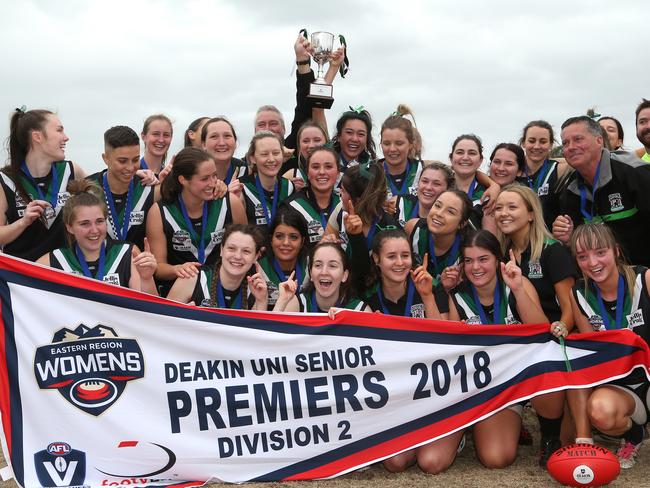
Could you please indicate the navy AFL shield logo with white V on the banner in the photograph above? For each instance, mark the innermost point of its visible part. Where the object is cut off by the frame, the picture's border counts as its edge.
(60, 465)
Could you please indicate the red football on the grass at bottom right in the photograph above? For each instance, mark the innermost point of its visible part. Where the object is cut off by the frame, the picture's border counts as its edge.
(583, 465)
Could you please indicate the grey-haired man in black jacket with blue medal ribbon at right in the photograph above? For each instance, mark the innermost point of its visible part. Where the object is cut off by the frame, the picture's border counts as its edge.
(604, 188)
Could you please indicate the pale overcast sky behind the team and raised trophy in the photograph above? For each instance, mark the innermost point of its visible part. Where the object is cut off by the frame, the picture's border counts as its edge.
(482, 67)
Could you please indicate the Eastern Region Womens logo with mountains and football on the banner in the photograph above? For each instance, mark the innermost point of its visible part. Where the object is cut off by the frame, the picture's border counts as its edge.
(89, 366)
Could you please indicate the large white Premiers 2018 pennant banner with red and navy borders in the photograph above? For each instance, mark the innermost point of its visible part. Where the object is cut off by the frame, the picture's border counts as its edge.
(105, 386)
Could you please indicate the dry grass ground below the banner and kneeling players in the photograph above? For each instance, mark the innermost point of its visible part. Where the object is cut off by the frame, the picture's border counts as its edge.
(465, 472)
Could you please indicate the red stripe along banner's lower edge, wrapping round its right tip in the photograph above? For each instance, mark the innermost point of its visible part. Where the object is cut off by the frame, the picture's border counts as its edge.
(552, 381)
